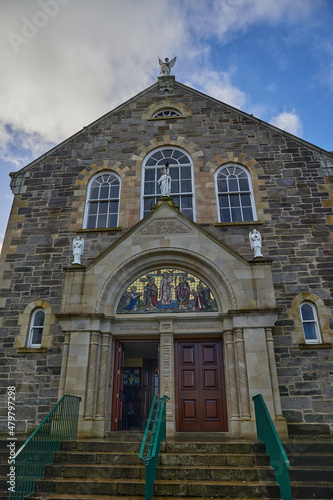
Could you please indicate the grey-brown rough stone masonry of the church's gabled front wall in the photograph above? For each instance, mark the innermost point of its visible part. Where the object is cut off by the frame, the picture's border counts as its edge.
(293, 189)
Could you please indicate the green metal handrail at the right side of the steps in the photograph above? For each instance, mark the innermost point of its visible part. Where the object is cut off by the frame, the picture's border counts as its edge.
(266, 432)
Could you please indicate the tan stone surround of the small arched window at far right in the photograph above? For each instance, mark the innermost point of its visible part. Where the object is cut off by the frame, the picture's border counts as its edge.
(324, 317)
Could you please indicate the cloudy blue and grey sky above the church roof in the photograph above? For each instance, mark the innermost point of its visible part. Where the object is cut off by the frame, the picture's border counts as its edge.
(65, 63)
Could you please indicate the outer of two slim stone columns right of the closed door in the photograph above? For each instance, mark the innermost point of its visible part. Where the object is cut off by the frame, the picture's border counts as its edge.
(243, 384)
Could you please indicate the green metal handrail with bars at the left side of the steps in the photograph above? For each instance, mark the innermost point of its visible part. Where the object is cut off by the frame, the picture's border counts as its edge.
(38, 450)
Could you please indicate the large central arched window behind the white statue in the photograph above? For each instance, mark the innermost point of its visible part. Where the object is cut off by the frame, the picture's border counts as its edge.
(180, 168)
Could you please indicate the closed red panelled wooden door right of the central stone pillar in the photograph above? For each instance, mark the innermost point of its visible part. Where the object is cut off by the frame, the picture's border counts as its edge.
(200, 387)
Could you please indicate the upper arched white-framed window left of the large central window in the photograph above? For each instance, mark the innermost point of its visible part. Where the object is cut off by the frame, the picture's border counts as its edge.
(103, 201)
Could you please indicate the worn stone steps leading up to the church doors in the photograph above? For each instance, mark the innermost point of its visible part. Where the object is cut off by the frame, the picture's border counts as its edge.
(192, 465)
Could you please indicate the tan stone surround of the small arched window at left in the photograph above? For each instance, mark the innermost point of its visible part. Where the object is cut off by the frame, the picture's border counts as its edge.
(21, 341)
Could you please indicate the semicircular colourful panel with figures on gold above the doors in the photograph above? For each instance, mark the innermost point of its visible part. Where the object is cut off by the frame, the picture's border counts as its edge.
(167, 290)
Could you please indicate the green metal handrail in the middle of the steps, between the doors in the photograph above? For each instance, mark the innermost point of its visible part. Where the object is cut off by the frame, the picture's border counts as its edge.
(150, 447)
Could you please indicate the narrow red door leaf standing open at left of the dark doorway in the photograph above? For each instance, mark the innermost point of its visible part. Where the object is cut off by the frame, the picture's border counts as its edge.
(118, 382)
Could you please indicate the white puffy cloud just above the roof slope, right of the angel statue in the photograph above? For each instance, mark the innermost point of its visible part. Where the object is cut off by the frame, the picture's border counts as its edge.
(218, 85)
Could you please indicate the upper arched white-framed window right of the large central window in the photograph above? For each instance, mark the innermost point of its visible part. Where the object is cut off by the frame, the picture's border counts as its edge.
(234, 194)
